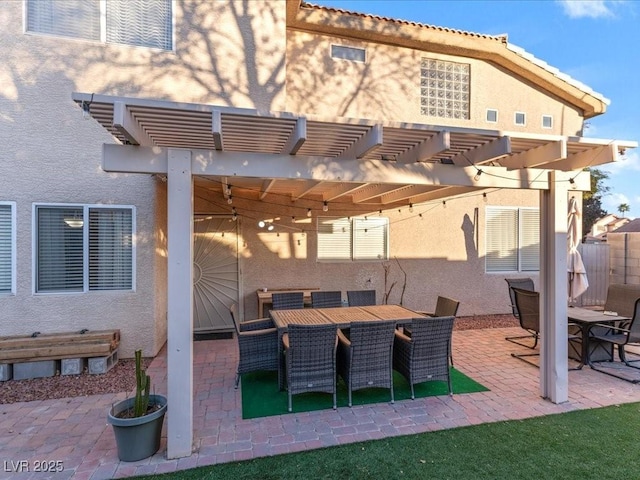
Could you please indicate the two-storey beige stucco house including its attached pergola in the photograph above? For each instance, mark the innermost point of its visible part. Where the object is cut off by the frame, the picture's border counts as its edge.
(142, 173)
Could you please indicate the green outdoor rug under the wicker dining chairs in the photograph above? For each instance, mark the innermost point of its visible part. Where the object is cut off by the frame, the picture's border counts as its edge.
(261, 397)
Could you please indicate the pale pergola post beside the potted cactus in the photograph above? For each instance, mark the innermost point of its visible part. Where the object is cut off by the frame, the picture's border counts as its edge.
(180, 304)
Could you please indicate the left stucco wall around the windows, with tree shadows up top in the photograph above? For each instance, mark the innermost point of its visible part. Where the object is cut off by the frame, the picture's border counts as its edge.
(228, 54)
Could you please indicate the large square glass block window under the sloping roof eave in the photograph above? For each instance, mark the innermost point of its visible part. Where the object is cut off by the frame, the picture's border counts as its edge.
(445, 89)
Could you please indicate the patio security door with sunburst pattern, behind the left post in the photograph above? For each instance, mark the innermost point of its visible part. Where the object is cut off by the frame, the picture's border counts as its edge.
(215, 272)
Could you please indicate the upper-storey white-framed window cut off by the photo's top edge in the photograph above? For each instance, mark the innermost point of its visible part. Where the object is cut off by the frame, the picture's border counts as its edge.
(143, 23)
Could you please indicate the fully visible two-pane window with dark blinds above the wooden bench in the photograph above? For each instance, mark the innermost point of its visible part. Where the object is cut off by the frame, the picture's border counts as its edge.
(81, 248)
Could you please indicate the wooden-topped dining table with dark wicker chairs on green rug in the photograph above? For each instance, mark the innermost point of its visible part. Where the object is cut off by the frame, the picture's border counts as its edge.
(362, 342)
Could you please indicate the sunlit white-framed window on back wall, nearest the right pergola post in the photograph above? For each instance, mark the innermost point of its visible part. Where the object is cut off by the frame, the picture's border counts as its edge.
(512, 239)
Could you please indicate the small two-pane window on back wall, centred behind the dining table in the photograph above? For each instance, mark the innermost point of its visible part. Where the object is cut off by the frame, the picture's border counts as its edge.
(353, 239)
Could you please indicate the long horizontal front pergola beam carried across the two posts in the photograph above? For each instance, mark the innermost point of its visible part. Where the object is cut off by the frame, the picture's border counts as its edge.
(131, 159)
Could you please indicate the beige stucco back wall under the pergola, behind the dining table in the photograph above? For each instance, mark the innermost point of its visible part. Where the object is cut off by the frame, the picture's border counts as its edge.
(441, 252)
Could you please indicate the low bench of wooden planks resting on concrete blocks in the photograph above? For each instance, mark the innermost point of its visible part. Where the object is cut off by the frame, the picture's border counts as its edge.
(43, 355)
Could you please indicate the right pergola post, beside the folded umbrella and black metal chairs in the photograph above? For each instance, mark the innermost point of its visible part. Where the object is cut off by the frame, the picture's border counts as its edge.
(554, 376)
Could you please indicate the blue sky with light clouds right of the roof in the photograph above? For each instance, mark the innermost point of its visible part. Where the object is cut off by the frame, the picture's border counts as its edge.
(596, 42)
